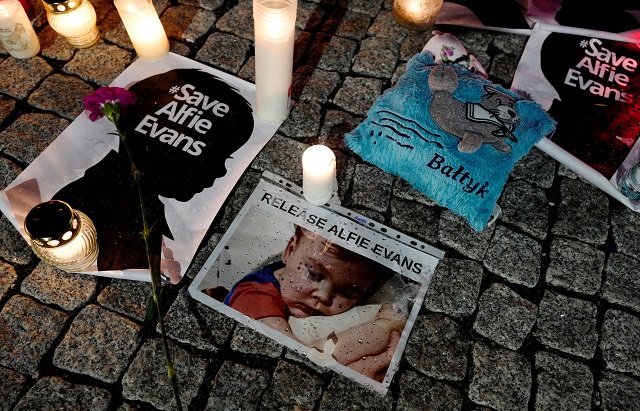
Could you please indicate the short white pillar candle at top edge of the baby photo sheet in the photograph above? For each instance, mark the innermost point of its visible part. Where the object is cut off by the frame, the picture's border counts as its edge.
(318, 174)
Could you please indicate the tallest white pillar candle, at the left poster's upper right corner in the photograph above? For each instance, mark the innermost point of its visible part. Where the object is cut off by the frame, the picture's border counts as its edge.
(274, 31)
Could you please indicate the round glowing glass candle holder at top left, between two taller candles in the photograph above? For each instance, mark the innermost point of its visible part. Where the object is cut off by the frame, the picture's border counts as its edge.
(75, 20)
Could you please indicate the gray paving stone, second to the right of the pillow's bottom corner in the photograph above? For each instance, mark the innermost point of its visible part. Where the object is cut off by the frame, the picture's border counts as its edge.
(582, 213)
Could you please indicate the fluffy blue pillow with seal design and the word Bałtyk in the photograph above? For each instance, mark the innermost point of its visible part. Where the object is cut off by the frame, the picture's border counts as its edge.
(453, 135)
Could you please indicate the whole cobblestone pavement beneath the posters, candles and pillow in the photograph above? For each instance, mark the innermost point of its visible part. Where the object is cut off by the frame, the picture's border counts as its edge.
(541, 311)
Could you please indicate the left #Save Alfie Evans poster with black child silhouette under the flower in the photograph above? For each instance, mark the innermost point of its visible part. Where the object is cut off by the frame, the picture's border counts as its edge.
(193, 132)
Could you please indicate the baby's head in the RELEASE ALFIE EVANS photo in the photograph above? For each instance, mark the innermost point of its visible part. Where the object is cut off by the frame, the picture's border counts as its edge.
(319, 279)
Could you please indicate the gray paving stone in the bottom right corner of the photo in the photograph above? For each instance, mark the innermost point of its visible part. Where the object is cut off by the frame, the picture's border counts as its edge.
(619, 392)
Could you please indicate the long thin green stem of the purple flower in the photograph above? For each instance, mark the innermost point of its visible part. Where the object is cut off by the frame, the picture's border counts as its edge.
(154, 268)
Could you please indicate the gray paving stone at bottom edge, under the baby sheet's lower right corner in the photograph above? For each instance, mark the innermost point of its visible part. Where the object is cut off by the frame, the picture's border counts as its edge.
(343, 394)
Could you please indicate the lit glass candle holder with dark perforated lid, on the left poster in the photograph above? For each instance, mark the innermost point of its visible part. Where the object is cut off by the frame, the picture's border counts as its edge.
(61, 236)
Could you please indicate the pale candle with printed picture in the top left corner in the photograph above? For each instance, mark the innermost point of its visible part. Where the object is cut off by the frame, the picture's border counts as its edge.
(16, 32)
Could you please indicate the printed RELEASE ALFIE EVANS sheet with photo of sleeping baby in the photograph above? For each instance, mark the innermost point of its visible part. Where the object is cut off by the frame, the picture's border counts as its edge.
(313, 291)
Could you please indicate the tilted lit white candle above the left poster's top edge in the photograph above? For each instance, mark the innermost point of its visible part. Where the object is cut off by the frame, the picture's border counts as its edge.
(145, 30)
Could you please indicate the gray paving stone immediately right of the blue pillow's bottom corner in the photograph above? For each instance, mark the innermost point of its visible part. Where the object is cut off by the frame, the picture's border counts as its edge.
(525, 206)
